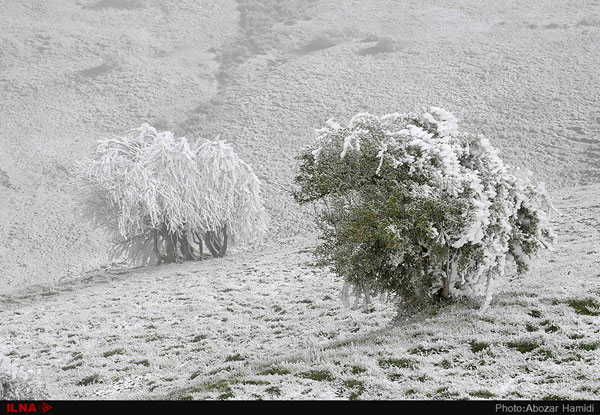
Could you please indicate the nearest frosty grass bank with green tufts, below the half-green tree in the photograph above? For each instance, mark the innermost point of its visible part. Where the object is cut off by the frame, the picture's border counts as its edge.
(435, 358)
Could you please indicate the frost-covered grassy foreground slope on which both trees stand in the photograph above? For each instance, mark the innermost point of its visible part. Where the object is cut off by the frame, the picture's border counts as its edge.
(268, 325)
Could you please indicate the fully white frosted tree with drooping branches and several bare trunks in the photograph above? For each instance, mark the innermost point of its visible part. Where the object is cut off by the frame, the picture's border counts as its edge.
(163, 198)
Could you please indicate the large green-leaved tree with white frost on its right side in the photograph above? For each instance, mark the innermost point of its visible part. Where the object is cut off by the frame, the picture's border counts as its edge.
(413, 207)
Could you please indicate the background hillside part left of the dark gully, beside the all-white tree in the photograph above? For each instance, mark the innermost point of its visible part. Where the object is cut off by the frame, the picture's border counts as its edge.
(71, 73)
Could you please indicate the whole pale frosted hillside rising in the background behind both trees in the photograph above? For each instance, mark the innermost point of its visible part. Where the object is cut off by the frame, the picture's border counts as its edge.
(264, 74)
